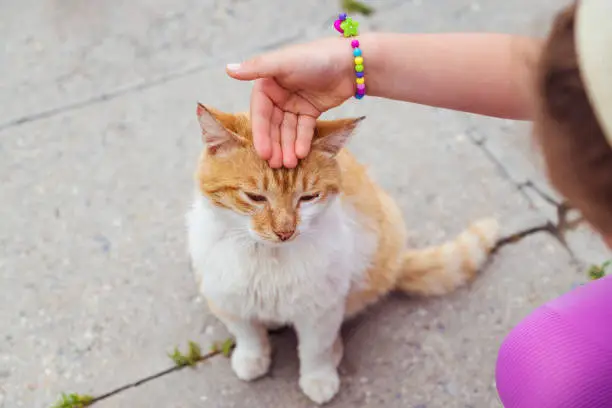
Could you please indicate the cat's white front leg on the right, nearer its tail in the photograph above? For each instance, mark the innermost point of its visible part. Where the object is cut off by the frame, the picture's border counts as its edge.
(320, 351)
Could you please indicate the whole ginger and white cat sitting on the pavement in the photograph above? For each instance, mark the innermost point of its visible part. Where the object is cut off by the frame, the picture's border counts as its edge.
(309, 246)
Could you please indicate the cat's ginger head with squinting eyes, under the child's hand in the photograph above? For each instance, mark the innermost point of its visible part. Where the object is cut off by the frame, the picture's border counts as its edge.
(269, 205)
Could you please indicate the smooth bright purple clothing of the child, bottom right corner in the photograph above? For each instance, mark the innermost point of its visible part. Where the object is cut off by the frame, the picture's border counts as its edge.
(561, 354)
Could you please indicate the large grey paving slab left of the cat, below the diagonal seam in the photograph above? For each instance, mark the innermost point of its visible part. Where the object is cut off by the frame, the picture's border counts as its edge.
(96, 282)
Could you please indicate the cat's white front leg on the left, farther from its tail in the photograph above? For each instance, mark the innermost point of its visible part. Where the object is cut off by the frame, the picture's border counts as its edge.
(251, 357)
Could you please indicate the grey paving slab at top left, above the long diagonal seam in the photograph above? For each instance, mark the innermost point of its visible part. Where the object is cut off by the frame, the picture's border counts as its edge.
(59, 52)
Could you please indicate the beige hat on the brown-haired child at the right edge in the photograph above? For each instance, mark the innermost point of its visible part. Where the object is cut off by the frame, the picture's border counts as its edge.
(594, 47)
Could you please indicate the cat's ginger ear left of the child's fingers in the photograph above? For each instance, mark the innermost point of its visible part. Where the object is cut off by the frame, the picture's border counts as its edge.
(216, 130)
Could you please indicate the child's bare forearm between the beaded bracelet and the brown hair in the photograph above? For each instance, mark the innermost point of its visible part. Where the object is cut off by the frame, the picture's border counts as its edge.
(488, 74)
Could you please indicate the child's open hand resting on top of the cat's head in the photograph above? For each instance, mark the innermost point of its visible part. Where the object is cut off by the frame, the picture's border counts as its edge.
(294, 86)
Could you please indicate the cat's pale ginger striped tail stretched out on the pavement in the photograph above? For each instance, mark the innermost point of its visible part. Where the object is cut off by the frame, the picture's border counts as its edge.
(441, 269)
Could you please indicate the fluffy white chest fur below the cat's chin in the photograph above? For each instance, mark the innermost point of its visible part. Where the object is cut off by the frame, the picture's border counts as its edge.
(277, 283)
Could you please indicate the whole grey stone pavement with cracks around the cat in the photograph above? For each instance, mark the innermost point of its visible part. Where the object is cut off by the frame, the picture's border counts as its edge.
(95, 286)
